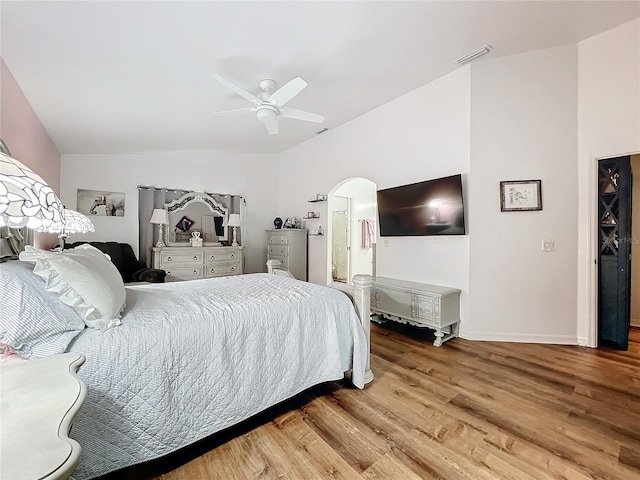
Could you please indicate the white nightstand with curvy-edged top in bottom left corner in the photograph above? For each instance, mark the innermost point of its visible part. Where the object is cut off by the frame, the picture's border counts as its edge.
(38, 401)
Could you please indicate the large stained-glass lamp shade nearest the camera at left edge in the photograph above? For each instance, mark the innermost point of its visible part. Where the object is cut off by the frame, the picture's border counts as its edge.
(25, 198)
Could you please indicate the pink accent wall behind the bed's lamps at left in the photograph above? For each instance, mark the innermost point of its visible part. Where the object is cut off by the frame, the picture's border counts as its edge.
(27, 138)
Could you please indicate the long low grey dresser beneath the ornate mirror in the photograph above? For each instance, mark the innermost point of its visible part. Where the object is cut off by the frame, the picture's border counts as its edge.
(189, 263)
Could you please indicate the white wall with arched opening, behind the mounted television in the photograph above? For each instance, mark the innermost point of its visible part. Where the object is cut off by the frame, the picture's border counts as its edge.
(419, 136)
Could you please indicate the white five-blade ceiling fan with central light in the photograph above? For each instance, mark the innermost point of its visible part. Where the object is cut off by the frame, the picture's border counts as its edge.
(269, 106)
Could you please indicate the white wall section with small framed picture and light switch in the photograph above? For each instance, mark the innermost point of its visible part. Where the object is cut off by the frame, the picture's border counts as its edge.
(523, 127)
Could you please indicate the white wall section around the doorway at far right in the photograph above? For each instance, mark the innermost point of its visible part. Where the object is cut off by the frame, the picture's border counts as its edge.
(608, 126)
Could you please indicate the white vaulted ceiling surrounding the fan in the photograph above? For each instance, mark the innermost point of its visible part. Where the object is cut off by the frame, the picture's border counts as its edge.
(118, 77)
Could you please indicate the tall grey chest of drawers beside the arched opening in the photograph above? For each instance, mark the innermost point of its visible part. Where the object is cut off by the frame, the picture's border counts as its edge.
(289, 245)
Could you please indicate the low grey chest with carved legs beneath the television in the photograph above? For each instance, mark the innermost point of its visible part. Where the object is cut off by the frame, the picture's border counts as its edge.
(419, 304)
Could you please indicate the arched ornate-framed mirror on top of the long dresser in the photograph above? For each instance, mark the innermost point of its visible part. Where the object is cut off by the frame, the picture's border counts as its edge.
(196, 212)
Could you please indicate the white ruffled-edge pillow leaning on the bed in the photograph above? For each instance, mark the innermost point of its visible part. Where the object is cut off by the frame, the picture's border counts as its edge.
(83, 278)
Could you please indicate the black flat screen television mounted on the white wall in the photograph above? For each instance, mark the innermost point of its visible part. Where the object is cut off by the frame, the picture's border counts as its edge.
(432, 207)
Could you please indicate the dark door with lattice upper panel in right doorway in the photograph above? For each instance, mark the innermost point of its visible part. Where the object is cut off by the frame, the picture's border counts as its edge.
(614, 257)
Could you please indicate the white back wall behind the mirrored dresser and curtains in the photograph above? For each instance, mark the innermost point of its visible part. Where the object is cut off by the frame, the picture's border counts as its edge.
(252, 176)
